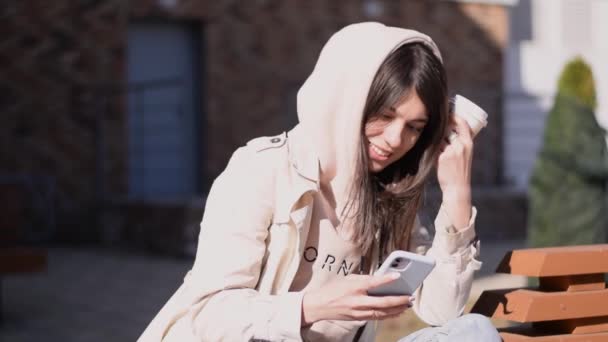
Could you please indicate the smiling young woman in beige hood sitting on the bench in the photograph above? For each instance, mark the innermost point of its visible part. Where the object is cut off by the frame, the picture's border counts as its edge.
(296, 224)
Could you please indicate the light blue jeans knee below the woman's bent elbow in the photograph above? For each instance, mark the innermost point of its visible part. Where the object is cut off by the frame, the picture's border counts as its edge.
(467, 328)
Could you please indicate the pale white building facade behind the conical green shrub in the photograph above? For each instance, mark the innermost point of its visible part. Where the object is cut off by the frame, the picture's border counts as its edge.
(545, 35)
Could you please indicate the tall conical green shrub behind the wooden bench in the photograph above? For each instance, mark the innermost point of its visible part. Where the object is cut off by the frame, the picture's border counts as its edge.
(567, 193)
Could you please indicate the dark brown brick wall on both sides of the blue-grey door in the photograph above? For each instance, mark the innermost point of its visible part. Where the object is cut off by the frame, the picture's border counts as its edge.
(63, 77)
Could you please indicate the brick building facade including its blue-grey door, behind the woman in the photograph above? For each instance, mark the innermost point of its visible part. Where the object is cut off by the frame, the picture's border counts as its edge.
(139, 104)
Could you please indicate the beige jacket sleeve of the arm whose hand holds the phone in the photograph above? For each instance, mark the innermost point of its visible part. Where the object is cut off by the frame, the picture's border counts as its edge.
(217, 300)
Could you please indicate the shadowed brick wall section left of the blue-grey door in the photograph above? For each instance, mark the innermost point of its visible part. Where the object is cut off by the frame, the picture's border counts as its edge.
(56, 60)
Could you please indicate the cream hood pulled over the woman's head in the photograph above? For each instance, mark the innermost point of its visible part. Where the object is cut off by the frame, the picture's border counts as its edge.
(330, 103)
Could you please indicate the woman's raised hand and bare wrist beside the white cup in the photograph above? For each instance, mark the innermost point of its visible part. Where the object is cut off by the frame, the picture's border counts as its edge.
(454, 172)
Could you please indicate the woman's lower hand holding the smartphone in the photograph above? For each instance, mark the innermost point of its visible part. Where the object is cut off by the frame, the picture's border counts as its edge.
(347, 299)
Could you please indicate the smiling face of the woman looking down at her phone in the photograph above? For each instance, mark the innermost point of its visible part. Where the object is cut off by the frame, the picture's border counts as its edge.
(391, 133)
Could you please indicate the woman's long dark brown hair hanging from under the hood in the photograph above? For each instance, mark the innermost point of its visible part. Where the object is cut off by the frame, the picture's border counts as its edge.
(387, 202)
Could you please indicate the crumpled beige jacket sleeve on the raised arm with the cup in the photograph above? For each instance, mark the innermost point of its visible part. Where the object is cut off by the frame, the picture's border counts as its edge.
(444, 293)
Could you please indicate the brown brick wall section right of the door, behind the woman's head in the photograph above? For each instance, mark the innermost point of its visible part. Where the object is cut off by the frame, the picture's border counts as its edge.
(252, 67)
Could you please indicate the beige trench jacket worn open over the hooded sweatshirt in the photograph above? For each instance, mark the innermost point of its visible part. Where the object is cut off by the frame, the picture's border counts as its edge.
(251, 242)
